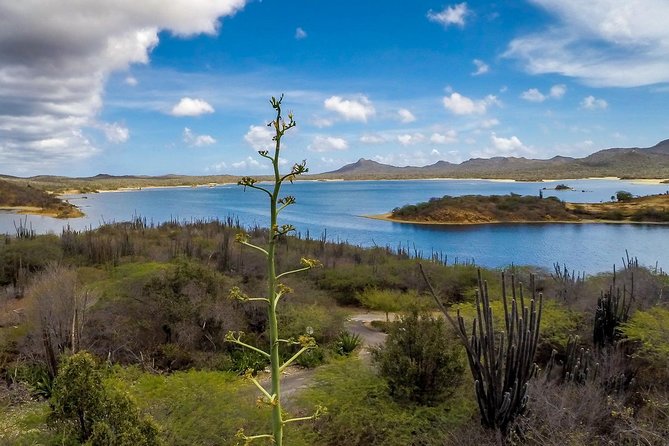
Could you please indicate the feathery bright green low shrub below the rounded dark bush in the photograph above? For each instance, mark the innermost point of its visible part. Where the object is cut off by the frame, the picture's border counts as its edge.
(362, 413)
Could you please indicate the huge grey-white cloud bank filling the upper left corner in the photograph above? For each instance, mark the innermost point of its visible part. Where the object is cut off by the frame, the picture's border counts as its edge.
(56, 56)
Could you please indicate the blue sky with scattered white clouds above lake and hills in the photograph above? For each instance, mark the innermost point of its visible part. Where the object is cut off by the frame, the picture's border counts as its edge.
(154, 87)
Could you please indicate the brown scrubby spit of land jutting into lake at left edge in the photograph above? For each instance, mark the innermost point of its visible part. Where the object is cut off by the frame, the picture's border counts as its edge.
(29, 200)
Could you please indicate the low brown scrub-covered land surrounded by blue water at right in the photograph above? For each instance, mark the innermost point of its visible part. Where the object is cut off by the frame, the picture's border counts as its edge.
(514, 208)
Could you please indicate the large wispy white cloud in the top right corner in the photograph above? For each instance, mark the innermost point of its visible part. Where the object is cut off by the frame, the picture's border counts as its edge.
(597, 41)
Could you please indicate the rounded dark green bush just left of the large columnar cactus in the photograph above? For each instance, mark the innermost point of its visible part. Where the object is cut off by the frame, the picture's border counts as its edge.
(419, 361)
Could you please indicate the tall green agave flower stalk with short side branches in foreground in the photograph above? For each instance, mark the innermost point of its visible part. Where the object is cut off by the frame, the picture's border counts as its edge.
(275, 289)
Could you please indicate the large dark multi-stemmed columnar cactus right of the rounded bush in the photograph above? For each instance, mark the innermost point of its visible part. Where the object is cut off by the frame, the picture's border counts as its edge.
(501, 362)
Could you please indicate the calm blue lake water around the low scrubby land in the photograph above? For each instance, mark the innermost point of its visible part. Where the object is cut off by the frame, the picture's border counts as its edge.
(338, 208)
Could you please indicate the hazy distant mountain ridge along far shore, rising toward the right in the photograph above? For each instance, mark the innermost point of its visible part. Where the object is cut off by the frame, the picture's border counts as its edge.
(651, 162)
